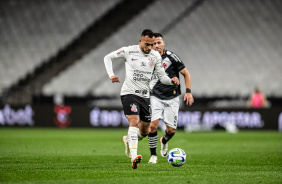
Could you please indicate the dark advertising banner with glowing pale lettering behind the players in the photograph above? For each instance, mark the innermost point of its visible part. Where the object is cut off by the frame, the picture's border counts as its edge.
(82, 116)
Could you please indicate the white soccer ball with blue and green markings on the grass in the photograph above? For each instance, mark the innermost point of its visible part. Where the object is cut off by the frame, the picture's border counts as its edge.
(176, 157)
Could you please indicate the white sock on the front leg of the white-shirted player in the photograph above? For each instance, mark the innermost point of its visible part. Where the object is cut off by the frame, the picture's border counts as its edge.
(132, 138)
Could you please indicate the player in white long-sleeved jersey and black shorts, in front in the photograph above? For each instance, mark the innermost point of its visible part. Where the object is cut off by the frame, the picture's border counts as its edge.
(140, 62)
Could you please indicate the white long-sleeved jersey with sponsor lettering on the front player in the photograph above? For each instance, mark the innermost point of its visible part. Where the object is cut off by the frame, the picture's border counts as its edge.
(139, 69)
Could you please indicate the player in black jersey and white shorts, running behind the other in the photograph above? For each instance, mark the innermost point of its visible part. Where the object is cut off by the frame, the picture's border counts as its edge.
(165, 100)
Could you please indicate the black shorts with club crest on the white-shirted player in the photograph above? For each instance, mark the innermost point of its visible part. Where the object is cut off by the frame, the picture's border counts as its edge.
(135, 105)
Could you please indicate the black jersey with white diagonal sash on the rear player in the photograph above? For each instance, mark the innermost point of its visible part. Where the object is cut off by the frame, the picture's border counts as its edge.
(172, 65)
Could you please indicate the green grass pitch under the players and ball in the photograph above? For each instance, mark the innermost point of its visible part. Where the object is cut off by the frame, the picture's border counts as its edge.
(33, 155)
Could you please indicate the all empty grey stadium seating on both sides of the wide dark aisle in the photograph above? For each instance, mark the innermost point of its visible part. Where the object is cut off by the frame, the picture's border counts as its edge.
(229, 47)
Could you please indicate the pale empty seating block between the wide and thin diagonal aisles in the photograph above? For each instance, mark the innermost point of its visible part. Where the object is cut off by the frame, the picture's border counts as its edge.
(93, 75)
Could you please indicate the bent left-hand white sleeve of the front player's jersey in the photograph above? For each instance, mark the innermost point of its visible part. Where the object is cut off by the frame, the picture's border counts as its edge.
(120, 53)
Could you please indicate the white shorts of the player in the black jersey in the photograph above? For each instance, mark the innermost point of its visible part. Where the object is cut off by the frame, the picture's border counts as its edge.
(167, 110)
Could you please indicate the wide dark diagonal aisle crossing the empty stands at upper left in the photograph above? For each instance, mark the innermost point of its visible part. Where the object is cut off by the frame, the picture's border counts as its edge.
(88, 39)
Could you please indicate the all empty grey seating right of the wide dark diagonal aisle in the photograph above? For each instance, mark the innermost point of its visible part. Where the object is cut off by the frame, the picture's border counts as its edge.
(228, 46)
